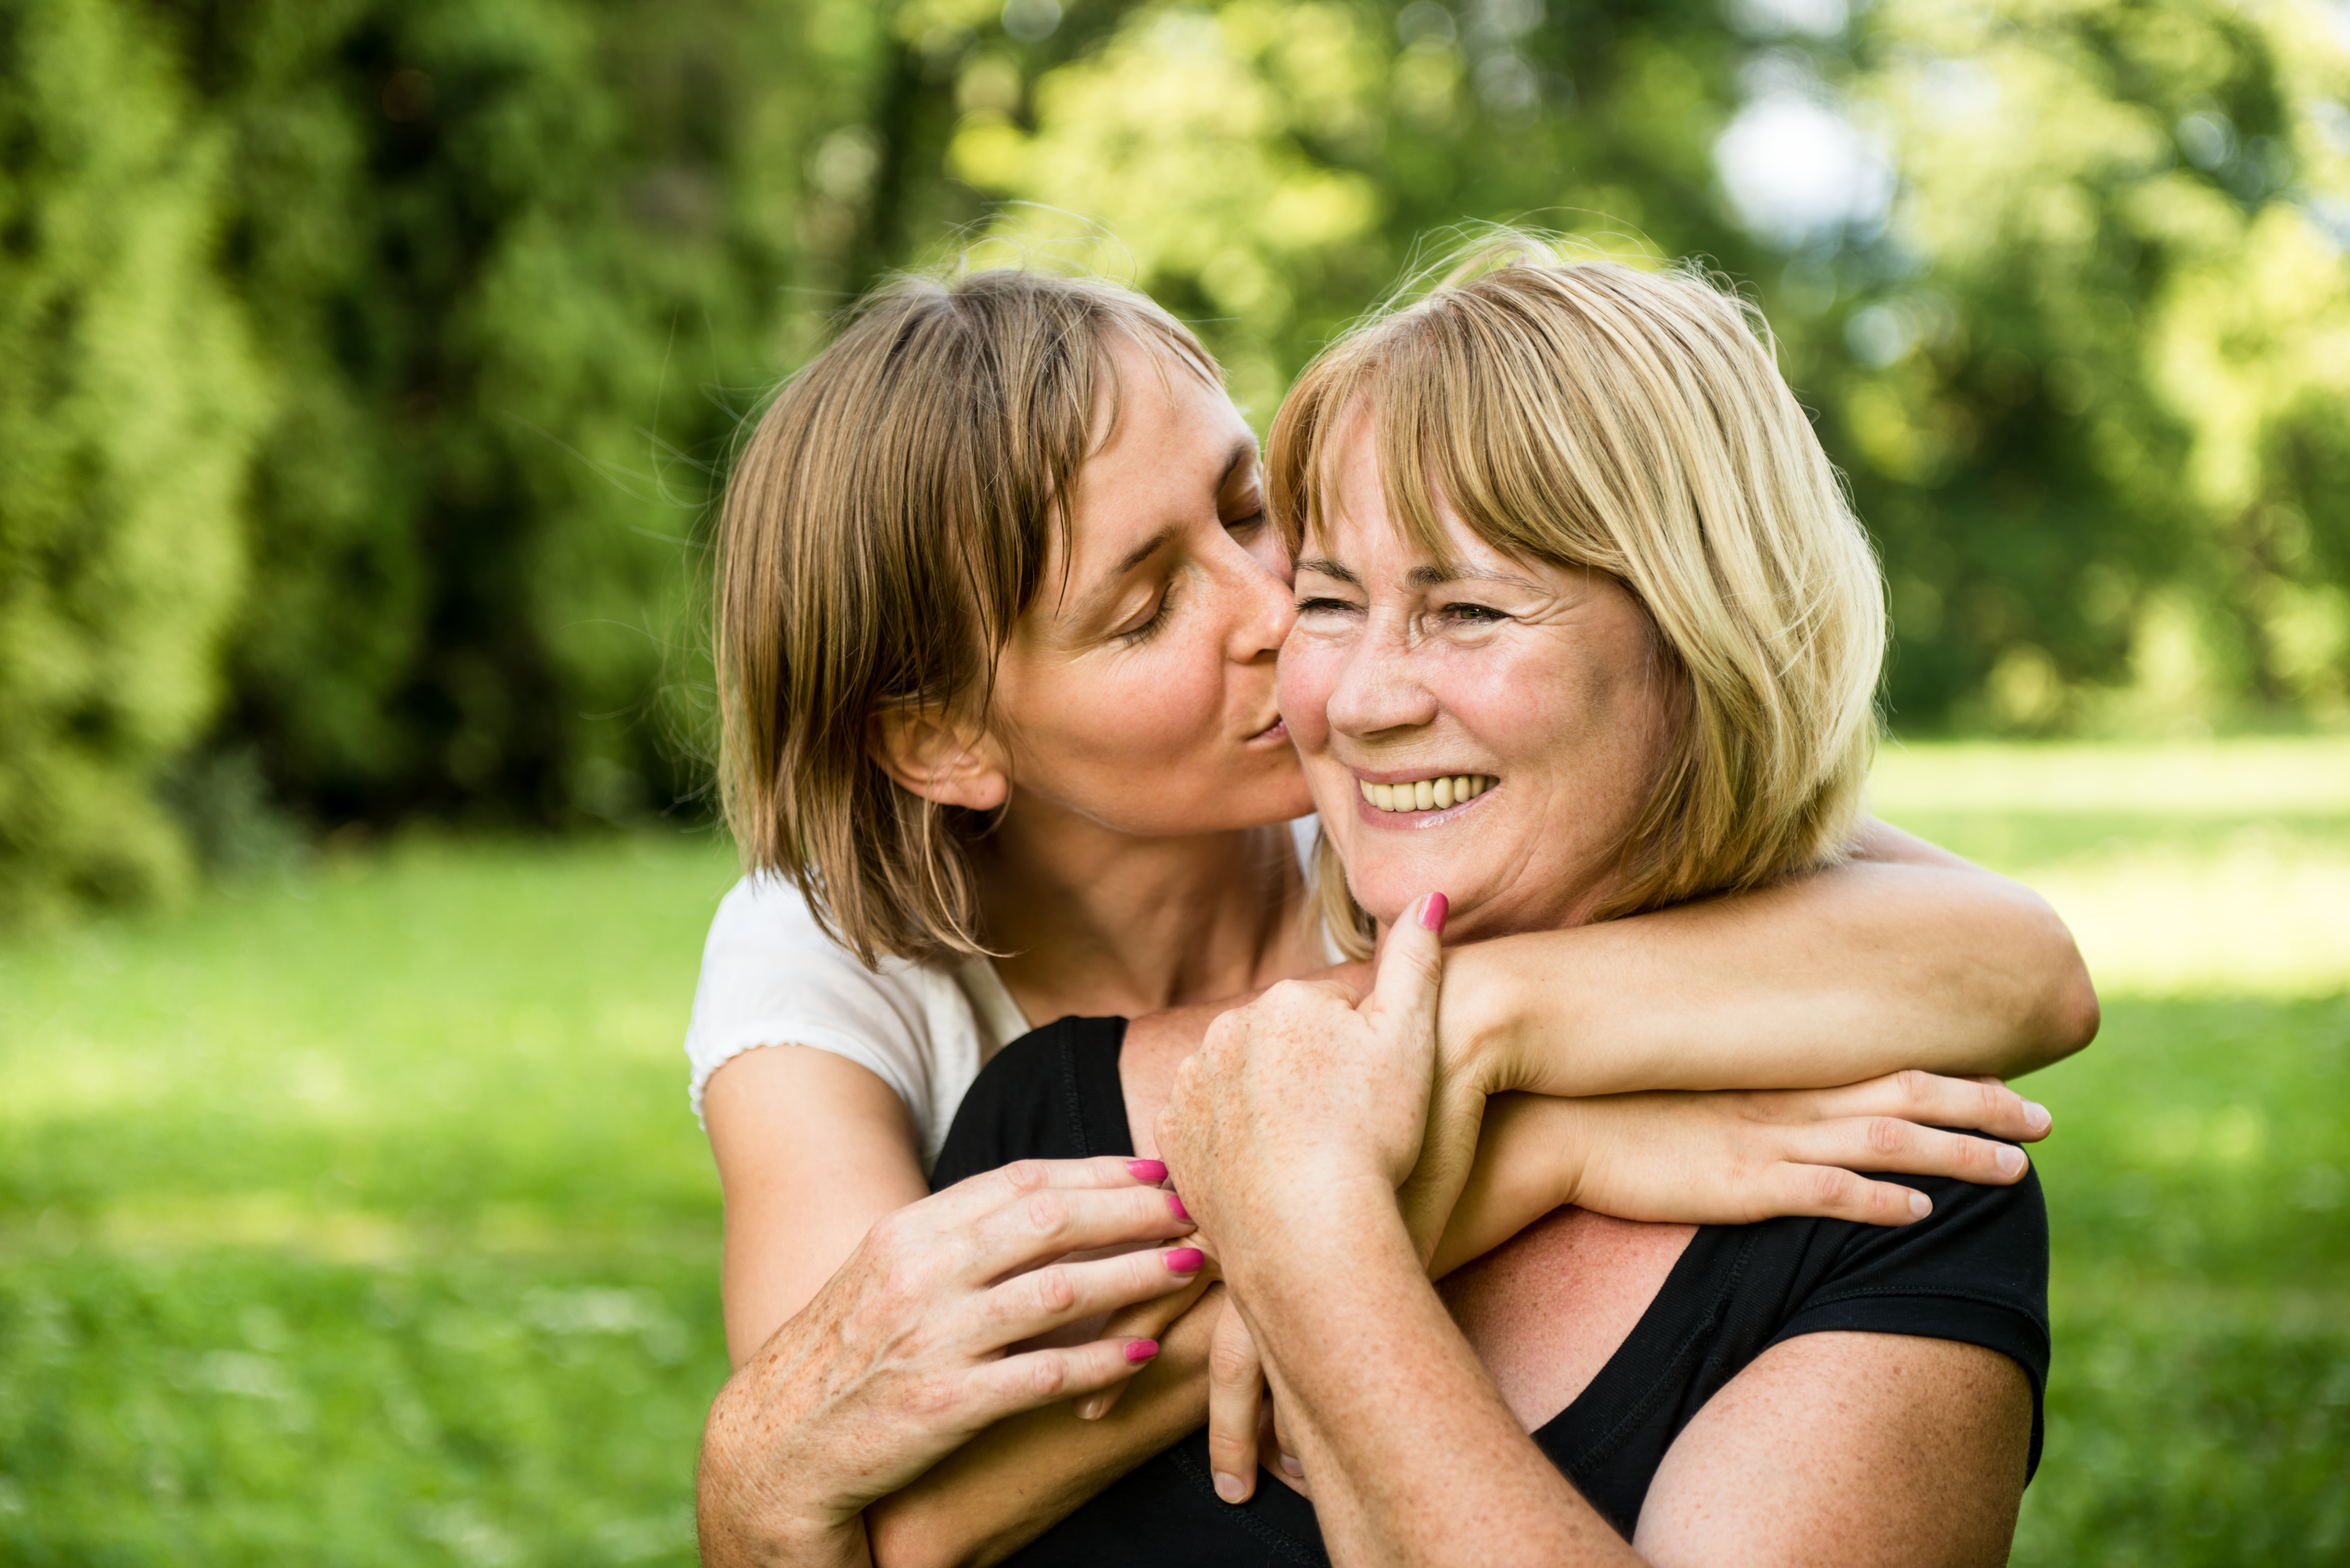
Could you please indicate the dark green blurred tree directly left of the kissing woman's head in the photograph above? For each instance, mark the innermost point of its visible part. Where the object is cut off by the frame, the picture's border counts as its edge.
(516, 269)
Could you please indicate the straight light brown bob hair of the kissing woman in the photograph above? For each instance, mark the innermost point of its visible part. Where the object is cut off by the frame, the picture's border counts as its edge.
(882, 530)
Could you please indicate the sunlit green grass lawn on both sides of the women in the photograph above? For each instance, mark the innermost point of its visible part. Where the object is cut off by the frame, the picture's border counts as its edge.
(361, 1219)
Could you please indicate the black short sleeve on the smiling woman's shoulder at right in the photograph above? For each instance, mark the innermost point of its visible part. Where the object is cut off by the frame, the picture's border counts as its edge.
(1975, 1271)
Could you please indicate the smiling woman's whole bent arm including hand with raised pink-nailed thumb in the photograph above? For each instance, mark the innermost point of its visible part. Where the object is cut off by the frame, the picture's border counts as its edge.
(1848, 1449)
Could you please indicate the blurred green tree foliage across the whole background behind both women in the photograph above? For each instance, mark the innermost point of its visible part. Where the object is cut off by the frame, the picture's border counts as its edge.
(365, 366)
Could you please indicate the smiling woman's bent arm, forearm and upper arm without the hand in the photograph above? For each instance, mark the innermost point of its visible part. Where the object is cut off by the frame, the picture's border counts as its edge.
(1832, 1449)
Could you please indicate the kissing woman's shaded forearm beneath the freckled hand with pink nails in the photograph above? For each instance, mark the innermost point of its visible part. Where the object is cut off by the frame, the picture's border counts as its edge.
(1026, 1475)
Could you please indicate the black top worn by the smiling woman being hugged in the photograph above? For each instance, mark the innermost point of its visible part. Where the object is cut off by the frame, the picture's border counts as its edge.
(1975, 1271)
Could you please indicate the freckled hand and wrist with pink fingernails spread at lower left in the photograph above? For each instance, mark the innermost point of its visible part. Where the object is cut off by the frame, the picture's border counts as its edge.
(929, 1336)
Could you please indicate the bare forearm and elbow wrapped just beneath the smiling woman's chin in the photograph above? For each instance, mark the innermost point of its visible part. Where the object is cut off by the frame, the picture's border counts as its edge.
(1827, 979)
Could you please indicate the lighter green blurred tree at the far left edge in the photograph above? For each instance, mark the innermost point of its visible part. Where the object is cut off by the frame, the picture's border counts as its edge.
(128, 408)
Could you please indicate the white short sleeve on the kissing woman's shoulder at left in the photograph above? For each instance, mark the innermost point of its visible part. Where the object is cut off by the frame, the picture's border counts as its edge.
(772, 977)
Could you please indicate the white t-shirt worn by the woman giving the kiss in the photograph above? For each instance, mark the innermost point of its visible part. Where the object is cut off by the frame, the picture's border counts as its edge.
(774, 979)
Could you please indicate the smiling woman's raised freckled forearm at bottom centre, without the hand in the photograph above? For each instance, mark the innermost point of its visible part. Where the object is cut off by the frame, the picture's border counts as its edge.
(1376, 1381)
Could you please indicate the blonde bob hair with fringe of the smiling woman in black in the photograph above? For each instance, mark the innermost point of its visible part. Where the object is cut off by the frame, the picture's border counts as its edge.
(1637, 424)
